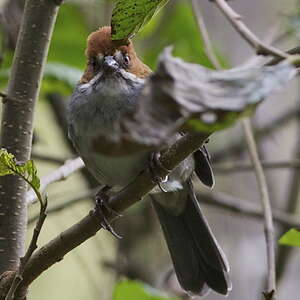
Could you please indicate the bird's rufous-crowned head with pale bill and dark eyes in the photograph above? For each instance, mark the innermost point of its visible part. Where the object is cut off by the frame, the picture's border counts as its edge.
(107, 57)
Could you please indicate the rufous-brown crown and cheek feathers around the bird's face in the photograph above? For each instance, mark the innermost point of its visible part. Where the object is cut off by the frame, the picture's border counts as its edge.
(99, 42)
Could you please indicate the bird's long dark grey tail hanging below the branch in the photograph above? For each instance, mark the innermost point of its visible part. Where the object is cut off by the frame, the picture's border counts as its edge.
(198, 260)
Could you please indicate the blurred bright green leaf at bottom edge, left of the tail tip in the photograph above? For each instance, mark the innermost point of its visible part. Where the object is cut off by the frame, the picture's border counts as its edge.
(134, 290)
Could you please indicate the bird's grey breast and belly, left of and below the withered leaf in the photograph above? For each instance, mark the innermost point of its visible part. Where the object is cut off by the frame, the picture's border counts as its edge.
(94, 112)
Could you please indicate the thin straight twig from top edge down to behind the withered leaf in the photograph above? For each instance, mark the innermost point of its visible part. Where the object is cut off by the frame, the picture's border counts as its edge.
(208, 48)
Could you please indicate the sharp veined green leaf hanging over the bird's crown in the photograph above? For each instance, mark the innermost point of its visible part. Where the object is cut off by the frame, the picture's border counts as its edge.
(130, 15)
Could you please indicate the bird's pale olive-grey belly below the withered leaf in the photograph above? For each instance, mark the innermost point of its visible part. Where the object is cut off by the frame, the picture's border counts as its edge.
(115, 171)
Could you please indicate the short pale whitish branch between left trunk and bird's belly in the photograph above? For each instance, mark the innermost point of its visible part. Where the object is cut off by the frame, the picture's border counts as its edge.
(59, 174)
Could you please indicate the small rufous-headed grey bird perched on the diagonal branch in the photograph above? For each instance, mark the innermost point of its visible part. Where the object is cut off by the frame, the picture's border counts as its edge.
(108, 89)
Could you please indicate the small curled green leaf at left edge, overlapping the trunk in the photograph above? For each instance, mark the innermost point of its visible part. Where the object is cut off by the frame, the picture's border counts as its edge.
(27, 170)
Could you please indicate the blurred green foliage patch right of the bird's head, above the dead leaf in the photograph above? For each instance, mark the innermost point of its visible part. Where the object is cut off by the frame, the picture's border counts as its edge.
(175, 26)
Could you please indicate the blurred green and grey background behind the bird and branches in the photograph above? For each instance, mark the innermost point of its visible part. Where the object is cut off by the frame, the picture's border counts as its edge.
(92, 270)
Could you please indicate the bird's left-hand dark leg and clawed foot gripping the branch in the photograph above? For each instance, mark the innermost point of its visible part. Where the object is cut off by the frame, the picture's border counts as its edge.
(102, 207)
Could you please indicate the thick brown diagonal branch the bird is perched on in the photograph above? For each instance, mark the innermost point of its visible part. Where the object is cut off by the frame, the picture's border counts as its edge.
(55, 250)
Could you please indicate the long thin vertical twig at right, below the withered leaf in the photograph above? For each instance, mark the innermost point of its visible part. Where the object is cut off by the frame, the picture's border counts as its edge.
(269, 226)
